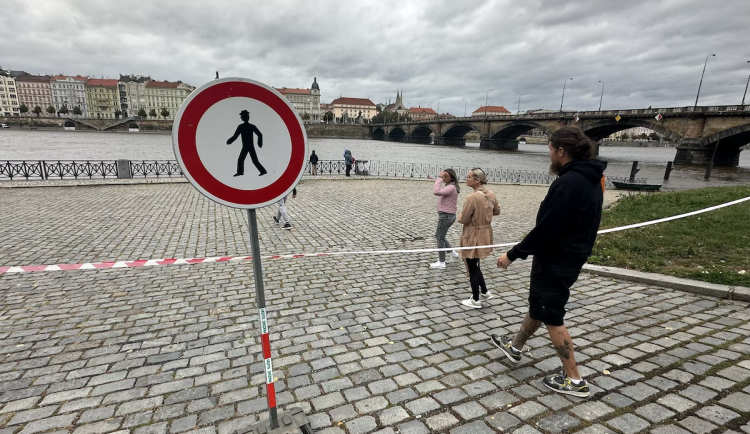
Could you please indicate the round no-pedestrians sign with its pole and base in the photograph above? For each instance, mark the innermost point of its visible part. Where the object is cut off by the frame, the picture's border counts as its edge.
(205, 137)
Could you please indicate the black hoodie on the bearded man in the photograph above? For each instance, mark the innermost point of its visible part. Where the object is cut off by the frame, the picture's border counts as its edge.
(568, 217)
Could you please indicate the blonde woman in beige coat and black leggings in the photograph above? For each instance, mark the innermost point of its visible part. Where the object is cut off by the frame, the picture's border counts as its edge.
(476, 216)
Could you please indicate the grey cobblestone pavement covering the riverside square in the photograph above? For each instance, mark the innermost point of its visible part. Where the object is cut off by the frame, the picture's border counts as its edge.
(362, 344)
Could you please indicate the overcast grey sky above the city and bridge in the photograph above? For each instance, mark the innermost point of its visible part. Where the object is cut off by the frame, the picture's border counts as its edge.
(648, 53)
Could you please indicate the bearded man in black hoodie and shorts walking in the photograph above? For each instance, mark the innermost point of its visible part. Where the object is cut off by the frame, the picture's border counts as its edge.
(561, 243)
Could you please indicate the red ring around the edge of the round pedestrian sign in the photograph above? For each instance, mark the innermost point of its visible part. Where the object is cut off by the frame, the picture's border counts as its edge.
(193, 166)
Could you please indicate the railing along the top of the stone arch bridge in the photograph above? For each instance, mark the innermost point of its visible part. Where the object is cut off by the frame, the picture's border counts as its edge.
(586, 113)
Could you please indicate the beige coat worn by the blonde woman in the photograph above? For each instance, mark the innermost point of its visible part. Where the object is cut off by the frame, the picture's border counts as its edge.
(476, 216)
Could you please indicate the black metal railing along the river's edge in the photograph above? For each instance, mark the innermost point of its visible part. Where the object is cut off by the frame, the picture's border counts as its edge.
(31, 170)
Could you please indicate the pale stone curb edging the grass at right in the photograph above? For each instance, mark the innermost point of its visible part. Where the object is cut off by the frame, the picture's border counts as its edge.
(739, 293)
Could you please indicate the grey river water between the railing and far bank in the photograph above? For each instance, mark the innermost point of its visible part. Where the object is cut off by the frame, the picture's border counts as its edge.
(84, 145)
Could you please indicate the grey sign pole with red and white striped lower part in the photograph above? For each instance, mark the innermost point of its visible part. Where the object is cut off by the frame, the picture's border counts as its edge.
(261, 299)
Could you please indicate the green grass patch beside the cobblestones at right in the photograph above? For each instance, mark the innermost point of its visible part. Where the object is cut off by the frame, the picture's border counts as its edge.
(711, 247)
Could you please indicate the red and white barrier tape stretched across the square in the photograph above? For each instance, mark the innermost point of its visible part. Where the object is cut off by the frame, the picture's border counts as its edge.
(162, 262)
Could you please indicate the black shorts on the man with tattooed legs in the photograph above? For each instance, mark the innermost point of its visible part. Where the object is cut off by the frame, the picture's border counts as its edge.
(550, 289)
